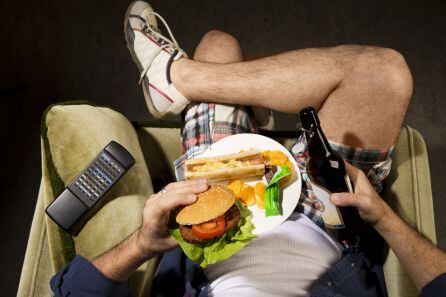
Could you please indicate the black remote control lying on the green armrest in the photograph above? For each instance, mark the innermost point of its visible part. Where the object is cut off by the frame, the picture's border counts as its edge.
(90, 186)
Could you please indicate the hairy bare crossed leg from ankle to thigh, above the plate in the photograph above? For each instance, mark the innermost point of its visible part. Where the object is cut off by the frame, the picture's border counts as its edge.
(362, 93)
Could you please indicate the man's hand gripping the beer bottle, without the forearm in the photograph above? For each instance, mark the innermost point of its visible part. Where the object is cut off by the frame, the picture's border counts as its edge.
(371, 207)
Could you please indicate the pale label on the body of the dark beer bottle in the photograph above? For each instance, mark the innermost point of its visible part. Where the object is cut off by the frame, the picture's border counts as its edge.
(330, 213)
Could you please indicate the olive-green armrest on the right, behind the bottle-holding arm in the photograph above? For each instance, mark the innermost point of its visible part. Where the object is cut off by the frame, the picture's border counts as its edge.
(408, 192)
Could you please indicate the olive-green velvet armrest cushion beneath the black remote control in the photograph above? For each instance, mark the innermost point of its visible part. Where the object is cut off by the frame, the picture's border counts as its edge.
(73, 134)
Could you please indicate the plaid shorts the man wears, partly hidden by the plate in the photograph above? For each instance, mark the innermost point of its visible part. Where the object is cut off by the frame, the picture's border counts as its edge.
(206, 123)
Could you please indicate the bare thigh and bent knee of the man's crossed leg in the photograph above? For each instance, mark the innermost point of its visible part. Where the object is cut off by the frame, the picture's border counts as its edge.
(368, 108)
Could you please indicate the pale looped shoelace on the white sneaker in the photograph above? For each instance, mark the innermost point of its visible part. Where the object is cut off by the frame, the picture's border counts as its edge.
(168, 43)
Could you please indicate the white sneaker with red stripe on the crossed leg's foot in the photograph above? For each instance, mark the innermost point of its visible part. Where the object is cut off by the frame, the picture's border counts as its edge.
(153, 54)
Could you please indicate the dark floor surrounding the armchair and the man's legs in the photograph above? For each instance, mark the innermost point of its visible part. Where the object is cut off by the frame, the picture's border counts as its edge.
(55, 50)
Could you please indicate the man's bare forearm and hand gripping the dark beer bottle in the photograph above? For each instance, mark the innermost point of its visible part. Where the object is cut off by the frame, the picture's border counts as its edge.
(422, 260)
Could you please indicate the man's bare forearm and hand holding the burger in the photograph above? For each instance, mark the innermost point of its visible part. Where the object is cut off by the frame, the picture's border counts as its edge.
(153, 236)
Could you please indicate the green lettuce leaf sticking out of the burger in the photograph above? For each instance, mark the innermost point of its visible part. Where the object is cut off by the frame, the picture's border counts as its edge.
(223, 247)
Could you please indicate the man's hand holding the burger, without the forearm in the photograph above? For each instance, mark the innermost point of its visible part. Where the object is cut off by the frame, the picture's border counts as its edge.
(154, 236)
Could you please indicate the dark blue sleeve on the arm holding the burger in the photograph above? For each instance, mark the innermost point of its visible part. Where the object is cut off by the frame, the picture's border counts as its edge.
(81, 278)
